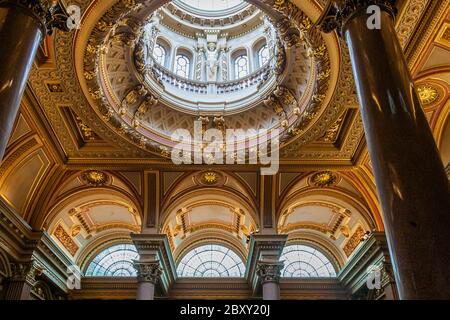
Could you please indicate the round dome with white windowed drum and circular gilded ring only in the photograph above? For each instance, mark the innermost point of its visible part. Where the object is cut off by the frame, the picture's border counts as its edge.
(225, 65)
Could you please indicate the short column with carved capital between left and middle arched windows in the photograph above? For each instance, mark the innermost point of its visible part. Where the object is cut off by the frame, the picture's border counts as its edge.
(148, 276)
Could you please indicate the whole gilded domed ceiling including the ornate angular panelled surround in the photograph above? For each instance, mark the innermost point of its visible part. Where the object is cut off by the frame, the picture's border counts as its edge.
(117, 98)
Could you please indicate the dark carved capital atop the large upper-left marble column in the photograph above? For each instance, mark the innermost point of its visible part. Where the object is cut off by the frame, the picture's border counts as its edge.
(51, 14)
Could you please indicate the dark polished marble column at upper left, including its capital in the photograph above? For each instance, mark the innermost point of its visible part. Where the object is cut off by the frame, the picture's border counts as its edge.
(23, 25)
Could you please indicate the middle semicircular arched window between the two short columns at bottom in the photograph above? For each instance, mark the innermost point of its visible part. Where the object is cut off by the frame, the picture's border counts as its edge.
(211, 261)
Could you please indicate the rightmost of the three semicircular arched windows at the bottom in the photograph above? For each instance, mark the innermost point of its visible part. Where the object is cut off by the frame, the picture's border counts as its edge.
(305, 262)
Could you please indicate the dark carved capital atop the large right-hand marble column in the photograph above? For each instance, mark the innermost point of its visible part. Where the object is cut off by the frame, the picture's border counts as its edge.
(338, 12)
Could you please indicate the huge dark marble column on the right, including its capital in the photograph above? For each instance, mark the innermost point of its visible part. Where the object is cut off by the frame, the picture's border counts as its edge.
(412, 185)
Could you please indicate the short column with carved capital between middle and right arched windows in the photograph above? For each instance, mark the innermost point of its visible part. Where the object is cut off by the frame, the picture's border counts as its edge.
(269, 273)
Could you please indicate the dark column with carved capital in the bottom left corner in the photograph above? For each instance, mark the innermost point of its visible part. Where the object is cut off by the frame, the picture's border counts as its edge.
(22, 280)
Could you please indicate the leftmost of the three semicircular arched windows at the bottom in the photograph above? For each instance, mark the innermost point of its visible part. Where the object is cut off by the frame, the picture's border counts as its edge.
(116, 261)
